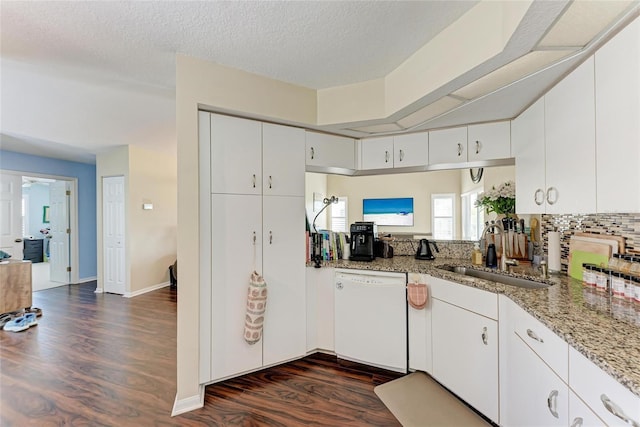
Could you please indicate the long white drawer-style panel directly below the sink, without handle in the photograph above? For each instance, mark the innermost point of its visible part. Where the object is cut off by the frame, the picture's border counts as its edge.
(472, 299)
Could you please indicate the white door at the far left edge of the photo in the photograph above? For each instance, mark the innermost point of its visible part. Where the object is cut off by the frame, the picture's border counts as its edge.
(11, 215)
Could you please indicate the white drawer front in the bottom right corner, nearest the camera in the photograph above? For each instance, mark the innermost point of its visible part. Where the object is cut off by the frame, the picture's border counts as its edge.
(594, 386)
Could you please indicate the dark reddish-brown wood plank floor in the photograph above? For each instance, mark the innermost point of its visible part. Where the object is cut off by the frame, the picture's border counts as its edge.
(104, 360)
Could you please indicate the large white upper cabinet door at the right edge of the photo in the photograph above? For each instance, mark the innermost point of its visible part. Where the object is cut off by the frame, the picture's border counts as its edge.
(617, 77)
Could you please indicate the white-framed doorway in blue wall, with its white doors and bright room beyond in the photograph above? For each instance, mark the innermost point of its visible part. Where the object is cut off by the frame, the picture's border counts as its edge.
(44, 227)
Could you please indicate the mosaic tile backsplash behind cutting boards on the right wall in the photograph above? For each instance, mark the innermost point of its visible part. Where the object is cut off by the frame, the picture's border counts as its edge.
(625, 225)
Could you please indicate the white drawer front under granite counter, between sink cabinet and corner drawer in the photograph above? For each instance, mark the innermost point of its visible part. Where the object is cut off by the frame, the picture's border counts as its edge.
(550, 347)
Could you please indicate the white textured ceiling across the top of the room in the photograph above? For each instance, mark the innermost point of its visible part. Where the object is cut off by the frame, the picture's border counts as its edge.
(309, 43)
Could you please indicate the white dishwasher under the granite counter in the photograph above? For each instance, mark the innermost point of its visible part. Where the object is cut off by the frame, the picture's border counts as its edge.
(371, 318)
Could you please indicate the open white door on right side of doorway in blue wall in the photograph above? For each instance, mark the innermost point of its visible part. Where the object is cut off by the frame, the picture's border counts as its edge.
(59, 260)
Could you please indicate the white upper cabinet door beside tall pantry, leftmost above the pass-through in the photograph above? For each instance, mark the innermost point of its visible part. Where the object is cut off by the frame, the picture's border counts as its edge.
(329, 151)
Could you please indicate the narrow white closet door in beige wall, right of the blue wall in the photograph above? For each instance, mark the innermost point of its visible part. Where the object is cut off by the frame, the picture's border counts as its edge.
(113, 237)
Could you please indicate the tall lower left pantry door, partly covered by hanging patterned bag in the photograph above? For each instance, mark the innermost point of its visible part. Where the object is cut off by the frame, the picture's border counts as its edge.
(237, 221)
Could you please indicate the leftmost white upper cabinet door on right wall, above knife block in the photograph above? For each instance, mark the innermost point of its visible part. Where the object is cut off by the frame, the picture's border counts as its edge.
(529, 150)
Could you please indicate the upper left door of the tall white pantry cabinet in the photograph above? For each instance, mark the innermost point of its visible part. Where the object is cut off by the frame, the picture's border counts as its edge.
(236, 155)
